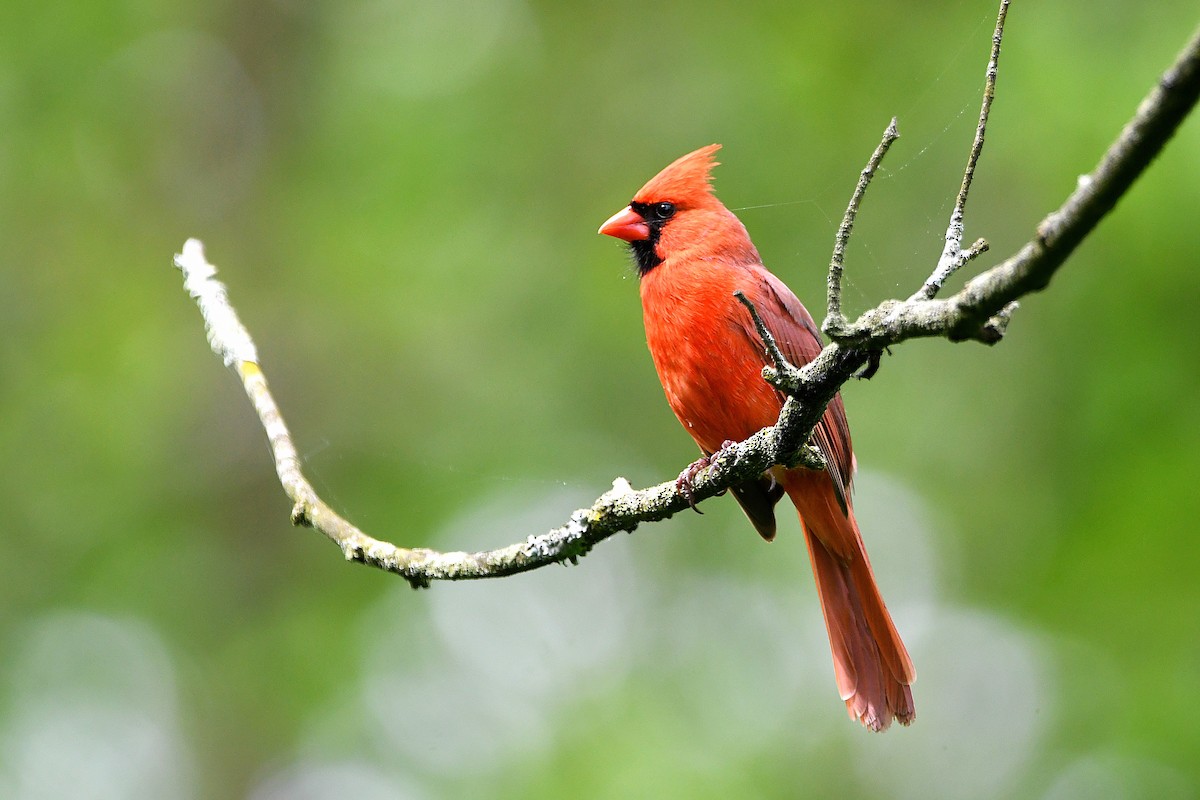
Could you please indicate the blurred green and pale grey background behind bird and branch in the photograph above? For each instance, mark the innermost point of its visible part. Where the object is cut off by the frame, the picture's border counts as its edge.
(404, 199)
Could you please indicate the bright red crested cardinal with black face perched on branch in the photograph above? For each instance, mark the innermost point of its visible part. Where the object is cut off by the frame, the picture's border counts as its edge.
(692, 255)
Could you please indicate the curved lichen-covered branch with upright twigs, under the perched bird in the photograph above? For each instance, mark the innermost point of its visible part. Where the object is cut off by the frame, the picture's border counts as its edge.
(981, 311)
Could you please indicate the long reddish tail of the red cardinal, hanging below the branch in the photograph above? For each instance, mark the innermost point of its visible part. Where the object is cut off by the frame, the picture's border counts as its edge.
(872, 665)
